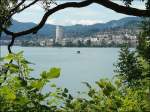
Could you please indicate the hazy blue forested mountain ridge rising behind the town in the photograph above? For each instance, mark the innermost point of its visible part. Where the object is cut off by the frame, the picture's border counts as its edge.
(78, 30)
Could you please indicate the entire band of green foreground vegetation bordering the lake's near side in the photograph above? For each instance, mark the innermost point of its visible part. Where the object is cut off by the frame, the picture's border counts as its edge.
(128, 92)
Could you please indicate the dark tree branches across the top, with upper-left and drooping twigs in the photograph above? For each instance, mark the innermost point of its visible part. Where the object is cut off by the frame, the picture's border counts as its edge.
(106, 3)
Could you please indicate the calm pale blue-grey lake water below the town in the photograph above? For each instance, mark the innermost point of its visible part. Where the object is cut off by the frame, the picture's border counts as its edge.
(90, 65)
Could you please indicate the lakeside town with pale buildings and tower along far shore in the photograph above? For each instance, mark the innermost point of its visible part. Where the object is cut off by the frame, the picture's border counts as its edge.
(109, 38)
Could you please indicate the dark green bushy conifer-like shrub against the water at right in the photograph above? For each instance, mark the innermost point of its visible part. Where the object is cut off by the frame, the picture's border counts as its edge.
(129, 67)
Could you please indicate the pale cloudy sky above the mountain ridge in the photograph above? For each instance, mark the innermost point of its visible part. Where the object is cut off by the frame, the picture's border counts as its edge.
(89, 15)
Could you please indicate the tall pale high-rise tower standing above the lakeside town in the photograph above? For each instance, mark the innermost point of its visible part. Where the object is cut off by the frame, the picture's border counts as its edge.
(59, 34)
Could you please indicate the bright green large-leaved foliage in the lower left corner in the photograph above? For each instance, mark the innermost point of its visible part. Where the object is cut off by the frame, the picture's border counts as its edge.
(21, 92)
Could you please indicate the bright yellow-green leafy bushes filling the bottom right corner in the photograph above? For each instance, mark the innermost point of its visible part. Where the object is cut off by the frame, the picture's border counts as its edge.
(110, 98)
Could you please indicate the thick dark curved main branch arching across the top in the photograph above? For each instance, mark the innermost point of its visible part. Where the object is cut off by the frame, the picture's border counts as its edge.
(107, 3)
